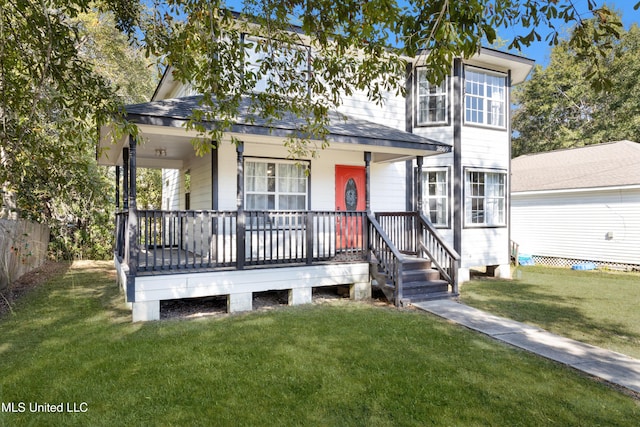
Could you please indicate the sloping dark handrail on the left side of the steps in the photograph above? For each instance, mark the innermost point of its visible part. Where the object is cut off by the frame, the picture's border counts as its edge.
(388, 256)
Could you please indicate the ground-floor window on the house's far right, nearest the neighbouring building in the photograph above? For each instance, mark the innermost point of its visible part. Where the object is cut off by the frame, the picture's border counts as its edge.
(485, 198)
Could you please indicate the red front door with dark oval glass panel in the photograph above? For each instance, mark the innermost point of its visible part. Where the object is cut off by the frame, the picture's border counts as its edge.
(350, 196)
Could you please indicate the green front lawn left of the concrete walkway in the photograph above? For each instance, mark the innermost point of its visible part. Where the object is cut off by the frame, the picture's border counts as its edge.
(332, 364)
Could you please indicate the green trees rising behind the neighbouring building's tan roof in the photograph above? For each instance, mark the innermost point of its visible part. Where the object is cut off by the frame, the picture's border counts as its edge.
(559, 108)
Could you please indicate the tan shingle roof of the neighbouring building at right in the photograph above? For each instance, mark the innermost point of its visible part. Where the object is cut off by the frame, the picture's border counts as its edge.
(594, 166)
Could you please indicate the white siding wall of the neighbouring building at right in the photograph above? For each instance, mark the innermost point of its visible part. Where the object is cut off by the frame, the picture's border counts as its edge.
(588, 225)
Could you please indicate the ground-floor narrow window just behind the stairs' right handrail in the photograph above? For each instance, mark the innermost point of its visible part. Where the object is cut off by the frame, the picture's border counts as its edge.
(435, 196)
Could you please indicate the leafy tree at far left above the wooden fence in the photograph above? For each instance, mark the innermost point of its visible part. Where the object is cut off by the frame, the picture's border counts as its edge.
(62, 67)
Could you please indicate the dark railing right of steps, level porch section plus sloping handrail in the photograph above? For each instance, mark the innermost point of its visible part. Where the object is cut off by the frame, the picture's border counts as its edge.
(412, 233)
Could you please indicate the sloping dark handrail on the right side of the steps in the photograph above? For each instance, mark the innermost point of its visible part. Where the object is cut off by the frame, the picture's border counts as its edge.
(443, 256)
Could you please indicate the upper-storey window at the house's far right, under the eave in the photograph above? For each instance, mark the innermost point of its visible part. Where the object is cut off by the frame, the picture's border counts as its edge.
(485, 98)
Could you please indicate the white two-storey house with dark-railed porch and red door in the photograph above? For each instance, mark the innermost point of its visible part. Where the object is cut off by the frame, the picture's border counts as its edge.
(408, 197)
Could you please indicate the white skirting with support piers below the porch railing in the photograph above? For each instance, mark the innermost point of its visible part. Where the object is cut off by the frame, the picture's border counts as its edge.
(239, 285)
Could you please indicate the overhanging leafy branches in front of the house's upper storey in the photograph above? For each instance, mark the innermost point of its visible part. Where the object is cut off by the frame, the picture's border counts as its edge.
(203, 43)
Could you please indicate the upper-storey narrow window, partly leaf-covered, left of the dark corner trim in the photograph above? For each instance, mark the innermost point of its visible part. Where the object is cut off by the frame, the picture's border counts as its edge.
(432, 100)
